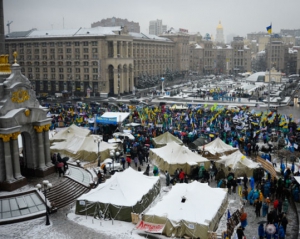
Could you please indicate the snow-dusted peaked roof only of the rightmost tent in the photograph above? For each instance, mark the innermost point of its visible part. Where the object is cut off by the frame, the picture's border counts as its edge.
(235, 161)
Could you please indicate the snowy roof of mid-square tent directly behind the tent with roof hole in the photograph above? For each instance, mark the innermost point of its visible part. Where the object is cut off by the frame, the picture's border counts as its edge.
(174, 153)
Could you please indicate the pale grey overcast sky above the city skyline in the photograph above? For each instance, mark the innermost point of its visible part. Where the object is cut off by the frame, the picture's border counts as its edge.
(238, 17)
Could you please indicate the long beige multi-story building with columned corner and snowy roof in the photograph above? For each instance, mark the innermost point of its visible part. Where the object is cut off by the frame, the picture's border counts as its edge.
(101, 59)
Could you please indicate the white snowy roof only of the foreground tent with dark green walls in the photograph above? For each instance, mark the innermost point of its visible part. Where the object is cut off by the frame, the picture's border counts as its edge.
(123, 189)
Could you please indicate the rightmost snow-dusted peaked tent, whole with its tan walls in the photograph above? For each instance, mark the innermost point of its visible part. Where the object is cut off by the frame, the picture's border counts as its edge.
(238, 163)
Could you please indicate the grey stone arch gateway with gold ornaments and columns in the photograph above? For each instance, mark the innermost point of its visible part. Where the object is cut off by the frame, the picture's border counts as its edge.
(21, 114)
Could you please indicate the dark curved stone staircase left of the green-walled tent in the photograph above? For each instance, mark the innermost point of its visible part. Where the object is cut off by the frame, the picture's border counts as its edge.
(65, 193)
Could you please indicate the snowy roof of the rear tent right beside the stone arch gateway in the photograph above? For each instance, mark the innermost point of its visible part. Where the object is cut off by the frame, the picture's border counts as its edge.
(69, 133)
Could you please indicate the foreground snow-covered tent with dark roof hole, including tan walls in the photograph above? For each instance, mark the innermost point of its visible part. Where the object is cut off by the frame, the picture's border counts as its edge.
(194, 217)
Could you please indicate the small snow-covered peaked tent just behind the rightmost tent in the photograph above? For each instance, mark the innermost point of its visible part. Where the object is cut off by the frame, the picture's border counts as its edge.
(216, 148)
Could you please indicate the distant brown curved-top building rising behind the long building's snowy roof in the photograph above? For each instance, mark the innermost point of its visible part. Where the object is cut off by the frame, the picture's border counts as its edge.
(115, 22)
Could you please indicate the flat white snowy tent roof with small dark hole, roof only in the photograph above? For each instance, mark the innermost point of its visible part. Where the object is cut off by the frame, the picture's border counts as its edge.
(196, 194)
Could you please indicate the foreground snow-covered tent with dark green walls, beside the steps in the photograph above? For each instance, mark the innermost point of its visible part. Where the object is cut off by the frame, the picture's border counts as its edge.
(124, 193)
